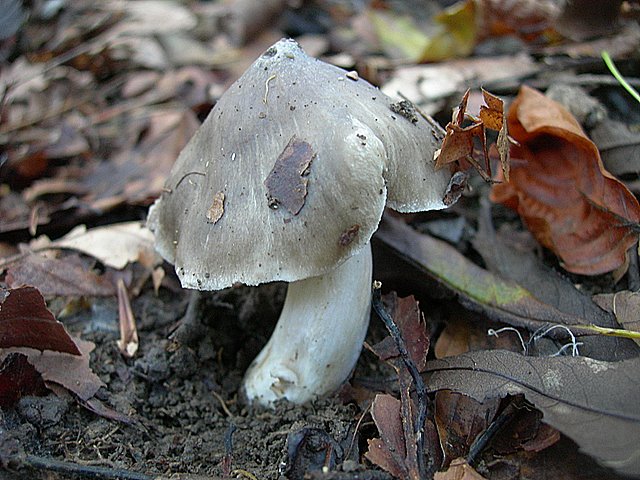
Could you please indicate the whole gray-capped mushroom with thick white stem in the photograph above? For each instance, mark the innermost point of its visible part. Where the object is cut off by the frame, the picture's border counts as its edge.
(287, 180)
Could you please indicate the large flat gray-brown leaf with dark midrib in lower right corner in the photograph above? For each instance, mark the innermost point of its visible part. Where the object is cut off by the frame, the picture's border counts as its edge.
(588, 400)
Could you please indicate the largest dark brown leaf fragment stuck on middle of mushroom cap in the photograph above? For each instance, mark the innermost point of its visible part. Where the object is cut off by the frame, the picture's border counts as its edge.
(287, 183)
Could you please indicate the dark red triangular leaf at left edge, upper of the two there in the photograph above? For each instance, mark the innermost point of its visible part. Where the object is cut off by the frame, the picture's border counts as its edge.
(25, 321)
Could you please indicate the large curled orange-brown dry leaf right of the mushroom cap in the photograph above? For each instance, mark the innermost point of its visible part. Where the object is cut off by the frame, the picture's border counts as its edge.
(561, 190)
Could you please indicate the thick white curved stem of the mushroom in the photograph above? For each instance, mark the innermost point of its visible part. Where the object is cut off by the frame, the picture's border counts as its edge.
(318, 338)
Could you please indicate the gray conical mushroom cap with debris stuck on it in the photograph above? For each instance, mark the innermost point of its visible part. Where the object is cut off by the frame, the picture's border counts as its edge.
(290, 173)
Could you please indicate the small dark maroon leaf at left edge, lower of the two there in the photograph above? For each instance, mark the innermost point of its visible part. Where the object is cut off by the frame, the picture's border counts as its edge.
(17, 379)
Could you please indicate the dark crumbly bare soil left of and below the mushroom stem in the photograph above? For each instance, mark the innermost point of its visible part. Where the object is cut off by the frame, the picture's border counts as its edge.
(186, 415)
